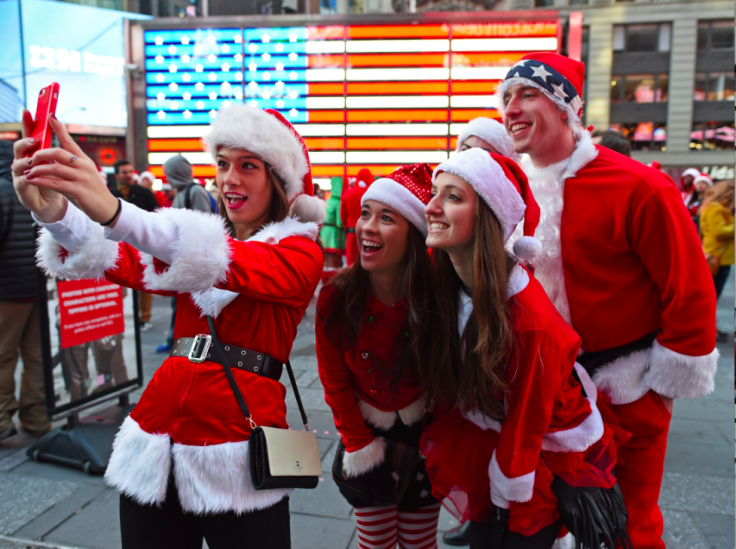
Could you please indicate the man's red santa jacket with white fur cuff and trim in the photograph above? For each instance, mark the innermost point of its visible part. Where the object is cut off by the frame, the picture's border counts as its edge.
(621, 260)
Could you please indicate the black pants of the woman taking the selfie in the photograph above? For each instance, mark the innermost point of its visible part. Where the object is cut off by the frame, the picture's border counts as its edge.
(170, 527)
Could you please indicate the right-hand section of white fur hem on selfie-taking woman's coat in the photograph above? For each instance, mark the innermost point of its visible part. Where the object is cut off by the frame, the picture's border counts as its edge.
(216, 479)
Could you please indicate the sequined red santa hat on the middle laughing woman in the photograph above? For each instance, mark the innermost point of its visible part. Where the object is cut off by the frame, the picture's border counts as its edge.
(407, 190)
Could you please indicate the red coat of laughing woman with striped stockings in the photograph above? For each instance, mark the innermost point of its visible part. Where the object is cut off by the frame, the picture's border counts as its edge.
(358, 393)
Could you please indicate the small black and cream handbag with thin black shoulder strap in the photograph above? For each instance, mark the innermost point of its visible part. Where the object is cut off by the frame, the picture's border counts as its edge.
(278, 458)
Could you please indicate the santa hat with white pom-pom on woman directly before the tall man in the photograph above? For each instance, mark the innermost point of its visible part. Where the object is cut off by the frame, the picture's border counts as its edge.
(502, 185)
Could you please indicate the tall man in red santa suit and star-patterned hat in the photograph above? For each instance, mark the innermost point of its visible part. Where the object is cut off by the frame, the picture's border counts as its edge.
(621, 261)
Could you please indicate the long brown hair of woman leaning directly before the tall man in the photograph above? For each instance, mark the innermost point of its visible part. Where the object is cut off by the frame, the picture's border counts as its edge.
(477, 379)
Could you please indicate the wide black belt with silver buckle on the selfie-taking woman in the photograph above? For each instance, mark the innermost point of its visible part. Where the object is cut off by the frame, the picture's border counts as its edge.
(197, 349)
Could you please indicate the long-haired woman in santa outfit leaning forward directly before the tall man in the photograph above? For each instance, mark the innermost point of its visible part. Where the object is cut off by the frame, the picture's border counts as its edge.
(512, 409)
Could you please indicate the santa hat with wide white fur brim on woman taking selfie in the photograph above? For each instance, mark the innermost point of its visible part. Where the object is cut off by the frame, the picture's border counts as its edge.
(270, 136)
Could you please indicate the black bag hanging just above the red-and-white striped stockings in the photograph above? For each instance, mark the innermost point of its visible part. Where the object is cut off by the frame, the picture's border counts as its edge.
(387, 483)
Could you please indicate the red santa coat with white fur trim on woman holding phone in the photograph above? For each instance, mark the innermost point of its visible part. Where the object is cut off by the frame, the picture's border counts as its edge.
(257, 291)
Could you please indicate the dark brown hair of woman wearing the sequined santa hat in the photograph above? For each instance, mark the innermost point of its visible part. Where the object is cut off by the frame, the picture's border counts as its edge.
(352, 288)
